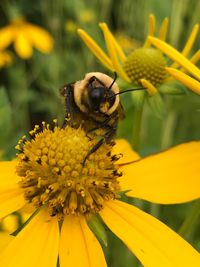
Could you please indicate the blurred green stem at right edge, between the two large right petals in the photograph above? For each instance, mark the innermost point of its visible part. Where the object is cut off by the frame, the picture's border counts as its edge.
(188, 225)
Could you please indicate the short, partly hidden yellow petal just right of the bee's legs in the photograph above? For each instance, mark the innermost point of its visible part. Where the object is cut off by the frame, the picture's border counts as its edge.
(124, 148)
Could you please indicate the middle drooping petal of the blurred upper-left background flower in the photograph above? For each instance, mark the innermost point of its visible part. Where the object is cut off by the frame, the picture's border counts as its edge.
(23, 45)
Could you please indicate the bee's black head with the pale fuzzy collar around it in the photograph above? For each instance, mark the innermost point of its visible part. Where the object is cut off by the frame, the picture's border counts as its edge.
(98, 93)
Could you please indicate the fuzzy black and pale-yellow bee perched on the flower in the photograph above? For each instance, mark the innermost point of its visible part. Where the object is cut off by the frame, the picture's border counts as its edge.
(93, 103)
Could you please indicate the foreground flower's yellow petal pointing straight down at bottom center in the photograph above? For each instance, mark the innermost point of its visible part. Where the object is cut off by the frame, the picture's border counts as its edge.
(78, 245)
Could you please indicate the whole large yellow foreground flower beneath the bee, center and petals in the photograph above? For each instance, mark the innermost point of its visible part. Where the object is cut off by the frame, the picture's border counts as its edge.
(49, 174)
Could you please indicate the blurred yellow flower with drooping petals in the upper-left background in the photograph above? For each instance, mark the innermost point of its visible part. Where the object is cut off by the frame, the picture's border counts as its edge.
(25, 36)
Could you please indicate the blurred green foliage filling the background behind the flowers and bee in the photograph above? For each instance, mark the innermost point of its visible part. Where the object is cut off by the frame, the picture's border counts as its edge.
(29, 88)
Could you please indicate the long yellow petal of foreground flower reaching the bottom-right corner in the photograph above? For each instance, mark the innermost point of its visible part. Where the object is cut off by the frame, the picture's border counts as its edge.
(153, 243)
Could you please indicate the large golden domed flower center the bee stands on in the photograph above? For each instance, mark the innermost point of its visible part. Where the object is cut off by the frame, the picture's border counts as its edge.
(53, 173)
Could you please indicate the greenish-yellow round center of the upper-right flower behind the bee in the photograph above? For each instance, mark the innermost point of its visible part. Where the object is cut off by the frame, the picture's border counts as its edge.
(146, 63)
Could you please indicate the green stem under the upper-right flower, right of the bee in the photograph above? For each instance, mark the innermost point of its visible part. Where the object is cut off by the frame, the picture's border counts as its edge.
(137, 121)
